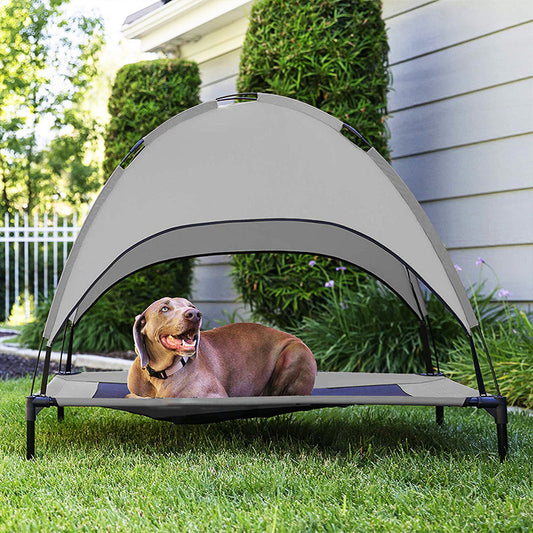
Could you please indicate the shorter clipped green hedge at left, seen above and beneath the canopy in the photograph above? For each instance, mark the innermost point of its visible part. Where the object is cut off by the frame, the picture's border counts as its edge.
(144, 96)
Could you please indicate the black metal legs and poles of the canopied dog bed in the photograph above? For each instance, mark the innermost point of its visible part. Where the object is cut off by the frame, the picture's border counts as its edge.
(496, 405)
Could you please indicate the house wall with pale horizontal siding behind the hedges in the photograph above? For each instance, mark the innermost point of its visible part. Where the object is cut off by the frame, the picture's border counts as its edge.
(461, 123)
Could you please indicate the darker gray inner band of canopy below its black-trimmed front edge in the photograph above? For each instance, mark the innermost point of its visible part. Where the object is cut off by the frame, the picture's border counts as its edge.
(289, 236)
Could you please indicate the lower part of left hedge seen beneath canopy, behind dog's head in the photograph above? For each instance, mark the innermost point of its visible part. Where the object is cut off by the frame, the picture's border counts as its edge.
(107, 326)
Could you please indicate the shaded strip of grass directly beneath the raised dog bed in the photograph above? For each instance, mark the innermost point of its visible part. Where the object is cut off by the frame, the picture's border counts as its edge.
(353, 433)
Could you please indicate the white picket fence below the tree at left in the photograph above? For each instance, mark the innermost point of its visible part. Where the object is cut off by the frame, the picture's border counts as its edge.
(24, 245)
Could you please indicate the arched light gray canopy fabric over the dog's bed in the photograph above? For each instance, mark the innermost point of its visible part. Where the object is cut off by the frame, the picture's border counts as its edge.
(272, 174)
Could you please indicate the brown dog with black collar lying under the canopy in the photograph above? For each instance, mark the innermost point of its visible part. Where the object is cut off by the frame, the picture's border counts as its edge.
(174, 360)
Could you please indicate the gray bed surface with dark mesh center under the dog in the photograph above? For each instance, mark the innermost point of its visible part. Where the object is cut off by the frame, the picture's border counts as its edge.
(332, 389)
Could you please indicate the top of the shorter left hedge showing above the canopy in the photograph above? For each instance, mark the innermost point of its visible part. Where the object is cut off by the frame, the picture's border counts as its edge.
(144, 95)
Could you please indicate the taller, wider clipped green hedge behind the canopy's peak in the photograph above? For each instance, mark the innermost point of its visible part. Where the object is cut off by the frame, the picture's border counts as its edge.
(331, 54)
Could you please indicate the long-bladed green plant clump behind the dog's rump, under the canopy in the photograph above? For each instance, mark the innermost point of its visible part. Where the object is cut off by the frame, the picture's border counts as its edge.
(361, 326)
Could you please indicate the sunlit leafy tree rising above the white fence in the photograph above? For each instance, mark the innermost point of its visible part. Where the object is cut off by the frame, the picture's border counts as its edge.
(47, 64)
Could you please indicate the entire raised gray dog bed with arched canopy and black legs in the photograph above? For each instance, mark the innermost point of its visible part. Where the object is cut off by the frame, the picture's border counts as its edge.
(259, 173)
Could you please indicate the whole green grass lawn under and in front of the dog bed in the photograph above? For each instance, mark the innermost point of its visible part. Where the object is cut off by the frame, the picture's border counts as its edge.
(355, 469)
